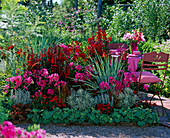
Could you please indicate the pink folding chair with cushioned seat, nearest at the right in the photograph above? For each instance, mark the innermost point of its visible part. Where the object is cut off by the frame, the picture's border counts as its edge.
(160, 63)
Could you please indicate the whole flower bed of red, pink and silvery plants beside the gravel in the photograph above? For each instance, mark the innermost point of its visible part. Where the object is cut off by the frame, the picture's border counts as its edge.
(66, 84)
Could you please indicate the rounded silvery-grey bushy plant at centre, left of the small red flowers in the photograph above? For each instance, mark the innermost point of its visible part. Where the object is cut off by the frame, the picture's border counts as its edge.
(81, 100)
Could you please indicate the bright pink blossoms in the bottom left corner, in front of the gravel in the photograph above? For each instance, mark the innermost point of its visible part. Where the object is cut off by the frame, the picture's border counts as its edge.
(8, 130)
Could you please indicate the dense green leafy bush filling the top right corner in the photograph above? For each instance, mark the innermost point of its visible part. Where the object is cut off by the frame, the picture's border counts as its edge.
(153, 17)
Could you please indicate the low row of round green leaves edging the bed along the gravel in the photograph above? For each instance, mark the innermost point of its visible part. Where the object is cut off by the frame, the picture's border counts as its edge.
(136, 115)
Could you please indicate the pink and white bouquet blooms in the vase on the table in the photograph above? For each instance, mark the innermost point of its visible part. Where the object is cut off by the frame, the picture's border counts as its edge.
(135, 36)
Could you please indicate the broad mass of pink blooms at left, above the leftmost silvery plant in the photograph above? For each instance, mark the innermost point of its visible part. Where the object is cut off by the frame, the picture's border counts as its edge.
(43, 79)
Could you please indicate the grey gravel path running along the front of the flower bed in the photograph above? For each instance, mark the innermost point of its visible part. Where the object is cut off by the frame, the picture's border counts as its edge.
(60, 131)
